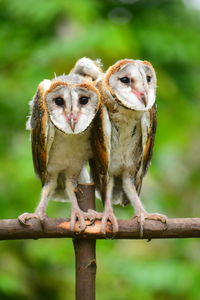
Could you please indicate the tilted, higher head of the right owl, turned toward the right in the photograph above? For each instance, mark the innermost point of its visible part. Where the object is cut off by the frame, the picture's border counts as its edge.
(132, 83)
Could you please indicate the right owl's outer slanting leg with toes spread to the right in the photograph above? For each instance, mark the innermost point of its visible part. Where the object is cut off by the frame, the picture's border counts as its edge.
(140, 212)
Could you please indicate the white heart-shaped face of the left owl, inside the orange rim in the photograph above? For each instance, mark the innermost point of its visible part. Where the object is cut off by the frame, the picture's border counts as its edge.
(72, 110)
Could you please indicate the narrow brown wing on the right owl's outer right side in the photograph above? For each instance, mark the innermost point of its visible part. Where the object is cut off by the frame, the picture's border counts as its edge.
(148, 136)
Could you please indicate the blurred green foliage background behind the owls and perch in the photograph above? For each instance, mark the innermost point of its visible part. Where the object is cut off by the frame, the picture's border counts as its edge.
(38, 38)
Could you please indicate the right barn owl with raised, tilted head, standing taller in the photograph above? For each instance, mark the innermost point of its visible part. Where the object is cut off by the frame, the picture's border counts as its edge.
(124, 137)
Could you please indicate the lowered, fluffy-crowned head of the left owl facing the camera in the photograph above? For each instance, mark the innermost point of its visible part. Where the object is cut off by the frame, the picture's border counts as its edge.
(71, 107)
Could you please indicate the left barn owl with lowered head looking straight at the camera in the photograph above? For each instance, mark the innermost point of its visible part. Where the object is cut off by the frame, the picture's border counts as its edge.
(62, 111)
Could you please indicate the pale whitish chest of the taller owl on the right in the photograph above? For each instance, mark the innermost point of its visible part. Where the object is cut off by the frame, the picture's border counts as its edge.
(126, 144)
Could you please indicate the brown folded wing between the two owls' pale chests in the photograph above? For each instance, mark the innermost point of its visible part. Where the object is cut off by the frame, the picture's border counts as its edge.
(100, 142)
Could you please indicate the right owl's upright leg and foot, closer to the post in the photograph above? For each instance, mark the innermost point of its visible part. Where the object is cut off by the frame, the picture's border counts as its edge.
(108, 214)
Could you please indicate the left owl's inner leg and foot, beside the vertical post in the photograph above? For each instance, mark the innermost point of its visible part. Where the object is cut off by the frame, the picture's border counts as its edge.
(76, 212)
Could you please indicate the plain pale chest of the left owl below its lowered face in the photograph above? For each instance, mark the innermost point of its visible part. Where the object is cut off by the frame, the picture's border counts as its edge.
(69, 152)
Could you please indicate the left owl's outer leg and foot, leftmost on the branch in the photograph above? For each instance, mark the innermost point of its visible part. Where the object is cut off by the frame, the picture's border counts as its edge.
(40, 213)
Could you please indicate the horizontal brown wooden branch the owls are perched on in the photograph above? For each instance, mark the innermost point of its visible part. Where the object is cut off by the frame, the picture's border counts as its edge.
(128, 229)
